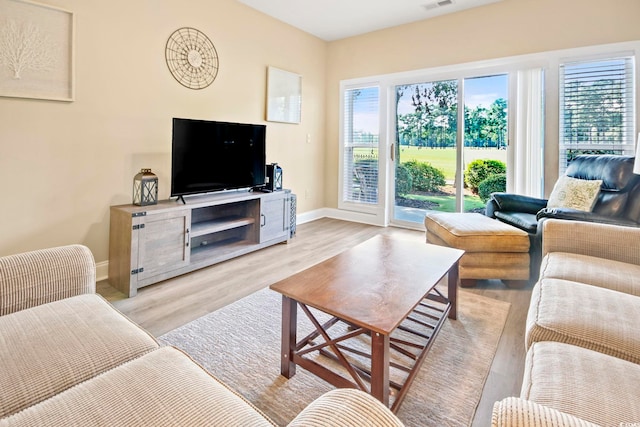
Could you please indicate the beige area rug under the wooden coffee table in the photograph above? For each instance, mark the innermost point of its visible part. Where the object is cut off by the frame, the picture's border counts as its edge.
(240, 345)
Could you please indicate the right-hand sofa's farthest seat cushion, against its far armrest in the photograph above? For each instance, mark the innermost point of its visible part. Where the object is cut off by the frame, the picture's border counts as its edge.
(615, 275)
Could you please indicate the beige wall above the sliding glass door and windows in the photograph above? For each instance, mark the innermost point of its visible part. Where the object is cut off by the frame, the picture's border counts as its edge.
(507, 28)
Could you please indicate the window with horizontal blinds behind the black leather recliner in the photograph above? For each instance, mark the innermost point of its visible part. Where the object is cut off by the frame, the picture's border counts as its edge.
(596, 108)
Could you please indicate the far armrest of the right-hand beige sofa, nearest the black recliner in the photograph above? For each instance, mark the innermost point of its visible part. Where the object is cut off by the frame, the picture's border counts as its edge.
(614, 242)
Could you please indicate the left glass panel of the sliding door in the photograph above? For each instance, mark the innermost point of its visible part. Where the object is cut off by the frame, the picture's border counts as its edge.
(426, 149)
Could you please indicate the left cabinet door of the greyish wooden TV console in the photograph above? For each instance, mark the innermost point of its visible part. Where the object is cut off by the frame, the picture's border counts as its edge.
(163, 243)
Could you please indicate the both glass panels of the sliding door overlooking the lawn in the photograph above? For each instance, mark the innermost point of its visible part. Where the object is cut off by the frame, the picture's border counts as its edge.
(443, 153)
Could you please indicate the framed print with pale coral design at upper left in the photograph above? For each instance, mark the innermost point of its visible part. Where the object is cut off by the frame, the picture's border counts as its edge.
(36, 51)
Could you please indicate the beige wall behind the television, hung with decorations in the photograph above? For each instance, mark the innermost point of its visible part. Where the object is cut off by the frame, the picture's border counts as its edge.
(63, 164)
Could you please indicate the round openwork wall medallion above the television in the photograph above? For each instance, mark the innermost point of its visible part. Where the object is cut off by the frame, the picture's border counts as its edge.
(191, 58)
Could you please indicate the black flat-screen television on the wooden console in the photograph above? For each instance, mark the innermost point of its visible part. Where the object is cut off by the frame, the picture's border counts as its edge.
(209, 156)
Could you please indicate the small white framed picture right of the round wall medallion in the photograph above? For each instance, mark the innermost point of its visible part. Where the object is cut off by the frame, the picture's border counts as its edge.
(284, 96)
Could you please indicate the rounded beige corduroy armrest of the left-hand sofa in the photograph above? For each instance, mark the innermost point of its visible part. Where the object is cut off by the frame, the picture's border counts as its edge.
(45, 275)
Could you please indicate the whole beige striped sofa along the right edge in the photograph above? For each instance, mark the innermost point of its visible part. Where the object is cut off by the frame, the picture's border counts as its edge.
(583, 331)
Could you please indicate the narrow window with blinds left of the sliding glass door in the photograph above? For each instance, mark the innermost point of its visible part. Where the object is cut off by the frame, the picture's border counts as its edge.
(360, 142)
